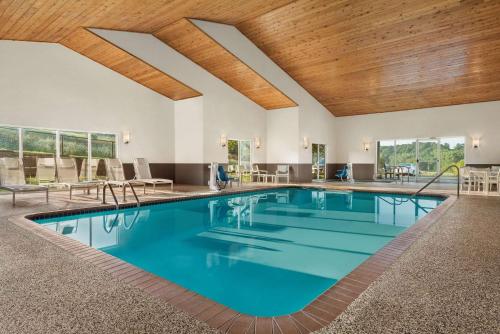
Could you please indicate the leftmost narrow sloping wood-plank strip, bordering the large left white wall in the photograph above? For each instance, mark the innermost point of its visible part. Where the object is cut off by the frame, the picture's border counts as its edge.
(111, 56)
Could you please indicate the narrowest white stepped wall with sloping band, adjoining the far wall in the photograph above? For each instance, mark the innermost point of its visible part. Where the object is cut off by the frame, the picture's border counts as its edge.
(315, 121)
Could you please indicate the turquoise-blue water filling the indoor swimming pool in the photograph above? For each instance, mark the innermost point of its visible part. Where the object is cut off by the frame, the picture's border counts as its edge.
(265, 253)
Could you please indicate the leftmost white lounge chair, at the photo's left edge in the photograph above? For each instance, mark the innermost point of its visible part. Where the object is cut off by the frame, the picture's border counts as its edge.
(12, 179)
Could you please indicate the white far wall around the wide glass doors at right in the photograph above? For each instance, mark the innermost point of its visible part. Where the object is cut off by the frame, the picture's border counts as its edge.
(481, 120)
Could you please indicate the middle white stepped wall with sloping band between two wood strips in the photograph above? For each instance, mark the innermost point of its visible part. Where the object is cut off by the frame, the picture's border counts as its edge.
(225, 111)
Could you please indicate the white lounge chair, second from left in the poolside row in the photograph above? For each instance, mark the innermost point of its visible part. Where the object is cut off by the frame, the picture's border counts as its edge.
(67, 175)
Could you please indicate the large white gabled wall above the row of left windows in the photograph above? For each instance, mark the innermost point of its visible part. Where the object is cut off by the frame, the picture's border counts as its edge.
(48, 85)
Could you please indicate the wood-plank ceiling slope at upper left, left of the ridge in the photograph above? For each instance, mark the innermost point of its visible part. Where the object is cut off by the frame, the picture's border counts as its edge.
(53, 20)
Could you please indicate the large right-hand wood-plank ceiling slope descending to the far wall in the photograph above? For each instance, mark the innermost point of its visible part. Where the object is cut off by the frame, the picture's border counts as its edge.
(365, 56)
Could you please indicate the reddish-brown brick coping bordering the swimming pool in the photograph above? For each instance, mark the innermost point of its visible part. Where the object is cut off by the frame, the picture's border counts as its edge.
(316, 315)
